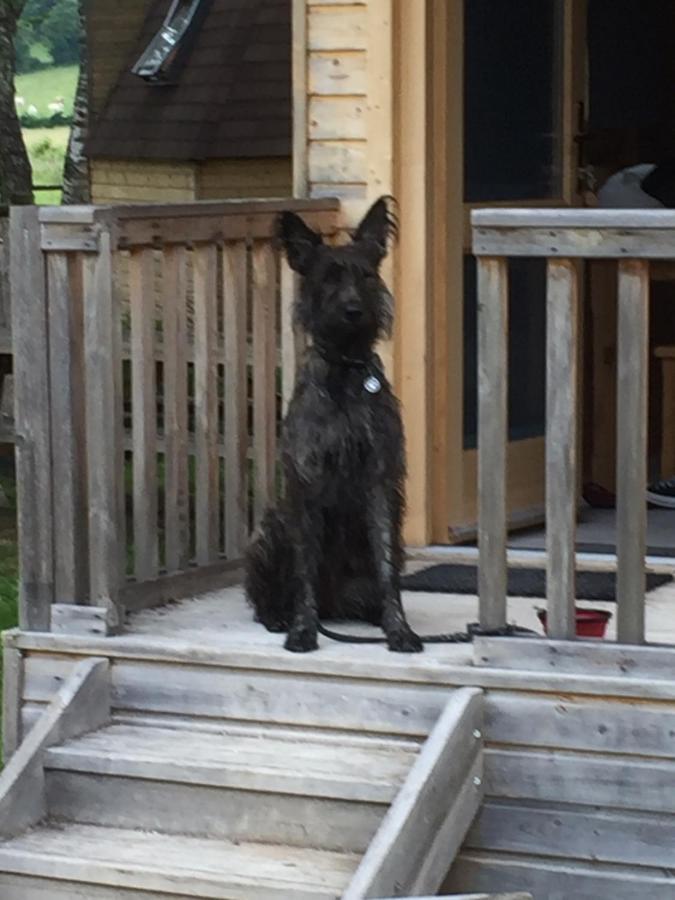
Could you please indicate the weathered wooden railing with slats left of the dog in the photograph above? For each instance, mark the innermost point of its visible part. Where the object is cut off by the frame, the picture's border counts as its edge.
(154, 349)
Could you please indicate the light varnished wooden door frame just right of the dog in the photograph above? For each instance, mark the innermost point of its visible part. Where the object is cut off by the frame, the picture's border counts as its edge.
(435, 234)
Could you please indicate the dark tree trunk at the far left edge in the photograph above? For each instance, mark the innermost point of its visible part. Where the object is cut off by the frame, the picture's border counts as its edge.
(16, 176)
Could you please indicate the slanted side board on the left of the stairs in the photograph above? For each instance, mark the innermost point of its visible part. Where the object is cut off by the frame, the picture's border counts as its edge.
(81, 704)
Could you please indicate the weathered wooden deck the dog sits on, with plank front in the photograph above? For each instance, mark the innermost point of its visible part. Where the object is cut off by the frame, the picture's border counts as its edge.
(578, 770)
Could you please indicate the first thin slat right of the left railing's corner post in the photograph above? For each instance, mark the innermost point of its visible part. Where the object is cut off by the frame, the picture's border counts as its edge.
(144, 412)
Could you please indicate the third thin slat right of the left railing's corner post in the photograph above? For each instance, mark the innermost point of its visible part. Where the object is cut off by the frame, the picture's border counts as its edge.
(206, 404)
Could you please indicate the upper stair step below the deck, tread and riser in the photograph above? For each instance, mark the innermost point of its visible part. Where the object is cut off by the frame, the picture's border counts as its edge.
(247, 784)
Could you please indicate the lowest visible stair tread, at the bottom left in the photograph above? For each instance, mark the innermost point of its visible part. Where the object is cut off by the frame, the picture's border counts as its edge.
(197, 866)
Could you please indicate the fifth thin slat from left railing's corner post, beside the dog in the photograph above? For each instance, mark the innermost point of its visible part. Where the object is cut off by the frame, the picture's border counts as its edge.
(264, 376)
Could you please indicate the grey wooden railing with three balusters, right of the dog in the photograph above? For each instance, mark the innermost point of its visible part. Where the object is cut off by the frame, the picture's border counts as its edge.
(563, 237)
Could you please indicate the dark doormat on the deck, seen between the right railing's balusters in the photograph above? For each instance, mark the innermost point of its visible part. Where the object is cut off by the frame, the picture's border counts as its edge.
(463, 579)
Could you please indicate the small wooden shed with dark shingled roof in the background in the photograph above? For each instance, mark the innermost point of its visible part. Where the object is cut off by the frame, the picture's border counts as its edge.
(216, 126)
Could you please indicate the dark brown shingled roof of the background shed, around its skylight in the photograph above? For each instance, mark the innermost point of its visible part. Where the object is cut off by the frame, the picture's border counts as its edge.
(230, 99)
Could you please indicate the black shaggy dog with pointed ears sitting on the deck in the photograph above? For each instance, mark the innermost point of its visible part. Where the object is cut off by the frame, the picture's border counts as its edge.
(332, 549)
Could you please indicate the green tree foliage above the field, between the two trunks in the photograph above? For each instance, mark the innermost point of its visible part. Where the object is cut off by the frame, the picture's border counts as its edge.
(53, 26)
